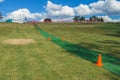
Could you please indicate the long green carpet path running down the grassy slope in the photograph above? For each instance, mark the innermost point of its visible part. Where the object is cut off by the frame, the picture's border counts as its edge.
(110, 63)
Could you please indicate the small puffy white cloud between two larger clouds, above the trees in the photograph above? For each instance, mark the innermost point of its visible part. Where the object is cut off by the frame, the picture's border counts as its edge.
(83, 10)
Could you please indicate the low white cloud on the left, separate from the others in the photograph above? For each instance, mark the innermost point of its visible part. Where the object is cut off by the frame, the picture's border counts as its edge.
(20, 15)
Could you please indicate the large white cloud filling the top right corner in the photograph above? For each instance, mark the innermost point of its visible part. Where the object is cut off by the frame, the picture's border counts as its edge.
(110, 7)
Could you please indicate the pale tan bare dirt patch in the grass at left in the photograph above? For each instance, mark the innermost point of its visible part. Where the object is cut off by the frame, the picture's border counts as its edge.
(19, 41)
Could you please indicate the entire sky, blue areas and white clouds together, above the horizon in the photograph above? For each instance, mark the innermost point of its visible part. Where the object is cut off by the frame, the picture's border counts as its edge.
(57, 9)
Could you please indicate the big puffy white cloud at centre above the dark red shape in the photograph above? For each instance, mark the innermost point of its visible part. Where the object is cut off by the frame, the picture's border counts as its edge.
(58, 11)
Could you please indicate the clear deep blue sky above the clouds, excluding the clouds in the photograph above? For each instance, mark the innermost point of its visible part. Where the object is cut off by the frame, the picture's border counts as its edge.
(37, 5)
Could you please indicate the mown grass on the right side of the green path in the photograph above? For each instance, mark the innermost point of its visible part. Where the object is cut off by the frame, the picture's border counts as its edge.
(102, 37)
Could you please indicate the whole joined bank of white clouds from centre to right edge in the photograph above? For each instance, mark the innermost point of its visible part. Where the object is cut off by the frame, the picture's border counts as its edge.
(108, 7)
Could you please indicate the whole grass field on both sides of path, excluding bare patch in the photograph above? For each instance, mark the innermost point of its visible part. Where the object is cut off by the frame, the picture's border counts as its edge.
(44, 60)
